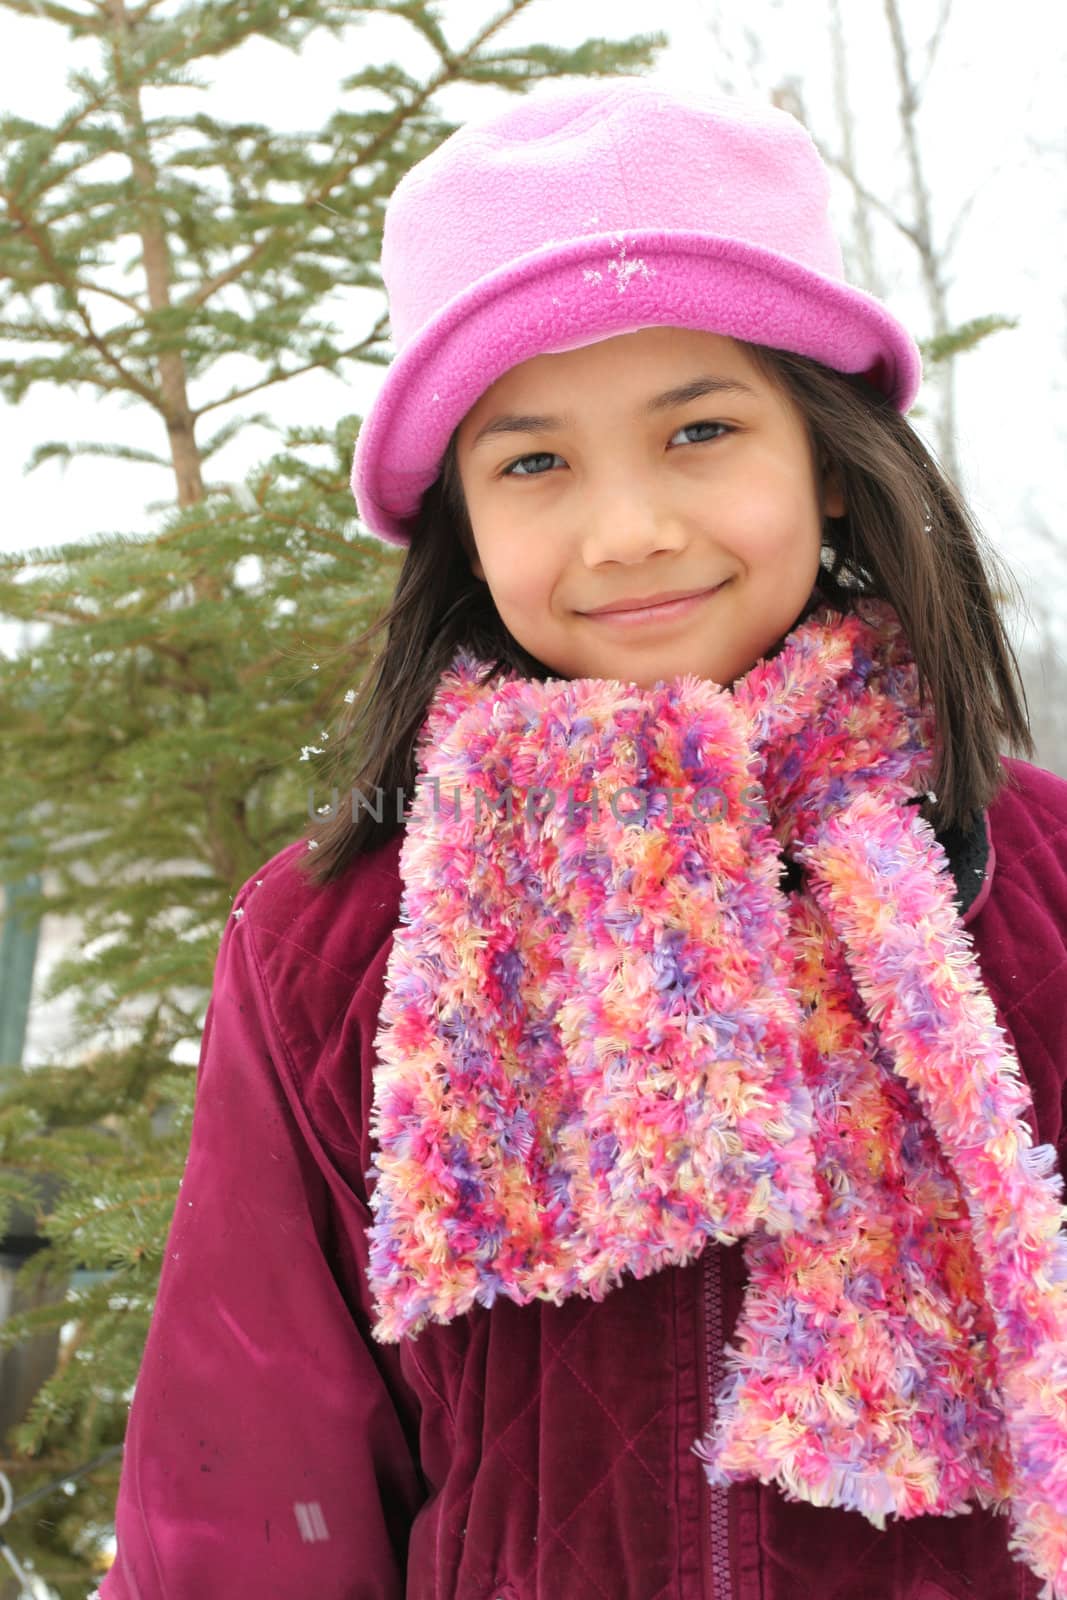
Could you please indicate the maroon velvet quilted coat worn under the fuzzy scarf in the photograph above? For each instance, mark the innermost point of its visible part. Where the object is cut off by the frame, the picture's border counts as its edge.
(518, 1454)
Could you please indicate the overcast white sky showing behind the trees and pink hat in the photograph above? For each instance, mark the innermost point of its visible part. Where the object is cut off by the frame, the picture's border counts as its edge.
(994, 105)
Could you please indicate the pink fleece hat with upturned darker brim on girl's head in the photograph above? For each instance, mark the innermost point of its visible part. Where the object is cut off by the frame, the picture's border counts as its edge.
(589, 209)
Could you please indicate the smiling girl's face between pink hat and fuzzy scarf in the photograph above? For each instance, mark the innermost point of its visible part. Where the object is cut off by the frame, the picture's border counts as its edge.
(652, 463)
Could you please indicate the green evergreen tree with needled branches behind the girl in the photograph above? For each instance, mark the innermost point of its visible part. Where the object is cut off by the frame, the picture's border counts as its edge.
(153, 734)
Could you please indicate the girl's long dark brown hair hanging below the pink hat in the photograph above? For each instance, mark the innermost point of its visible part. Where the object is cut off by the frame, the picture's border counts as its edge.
(908, 537)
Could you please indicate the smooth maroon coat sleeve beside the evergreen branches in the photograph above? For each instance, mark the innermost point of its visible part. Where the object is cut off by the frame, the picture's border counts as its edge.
(270, 1449)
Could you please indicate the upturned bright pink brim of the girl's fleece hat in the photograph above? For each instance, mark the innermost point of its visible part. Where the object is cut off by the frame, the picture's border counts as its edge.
(564, 297)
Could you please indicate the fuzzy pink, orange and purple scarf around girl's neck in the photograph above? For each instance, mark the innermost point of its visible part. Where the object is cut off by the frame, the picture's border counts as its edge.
(609, 1039)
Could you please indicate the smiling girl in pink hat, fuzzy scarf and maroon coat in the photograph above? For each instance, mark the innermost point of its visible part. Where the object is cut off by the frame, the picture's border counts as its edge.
(626, 1143)
